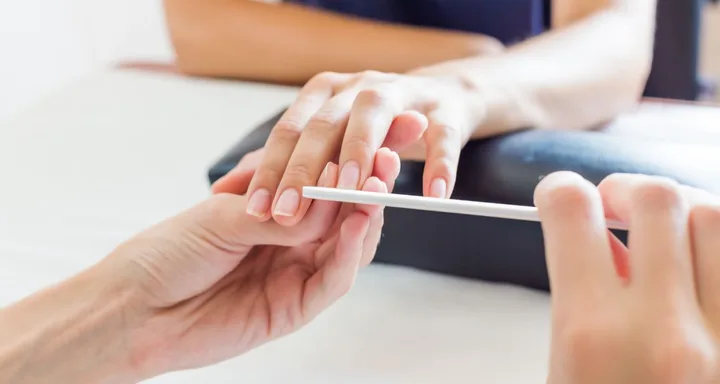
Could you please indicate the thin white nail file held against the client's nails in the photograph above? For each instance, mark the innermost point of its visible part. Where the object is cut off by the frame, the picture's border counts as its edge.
(463, 207)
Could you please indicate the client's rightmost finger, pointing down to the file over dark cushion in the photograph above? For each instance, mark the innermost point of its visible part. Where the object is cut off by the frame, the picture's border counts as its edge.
(444, 140)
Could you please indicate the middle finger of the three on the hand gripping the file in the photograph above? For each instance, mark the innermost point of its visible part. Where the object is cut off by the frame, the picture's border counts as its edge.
(659, 241)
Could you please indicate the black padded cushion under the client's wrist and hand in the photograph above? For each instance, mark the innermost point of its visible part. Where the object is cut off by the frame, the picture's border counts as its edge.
(506, 169)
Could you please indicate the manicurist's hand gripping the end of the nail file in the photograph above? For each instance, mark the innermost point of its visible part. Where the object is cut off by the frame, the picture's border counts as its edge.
(649, 313)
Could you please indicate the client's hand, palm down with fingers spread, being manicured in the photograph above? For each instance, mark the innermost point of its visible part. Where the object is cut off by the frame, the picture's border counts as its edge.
(348, 117)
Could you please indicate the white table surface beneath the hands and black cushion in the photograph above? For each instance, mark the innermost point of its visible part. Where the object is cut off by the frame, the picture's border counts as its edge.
(94, 163)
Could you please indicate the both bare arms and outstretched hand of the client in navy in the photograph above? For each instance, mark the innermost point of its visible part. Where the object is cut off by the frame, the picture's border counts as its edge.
(591, 66)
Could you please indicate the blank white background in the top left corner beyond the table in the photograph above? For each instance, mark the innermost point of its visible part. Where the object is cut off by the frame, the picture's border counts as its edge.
(48, 43)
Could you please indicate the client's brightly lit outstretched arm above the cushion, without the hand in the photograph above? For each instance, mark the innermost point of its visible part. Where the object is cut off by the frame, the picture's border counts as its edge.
(590, 67)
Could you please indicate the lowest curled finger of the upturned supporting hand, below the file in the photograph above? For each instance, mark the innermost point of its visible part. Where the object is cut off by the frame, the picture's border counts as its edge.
(337, 275)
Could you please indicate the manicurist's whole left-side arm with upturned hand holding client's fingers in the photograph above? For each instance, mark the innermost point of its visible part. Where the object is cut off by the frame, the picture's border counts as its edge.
(189, 292)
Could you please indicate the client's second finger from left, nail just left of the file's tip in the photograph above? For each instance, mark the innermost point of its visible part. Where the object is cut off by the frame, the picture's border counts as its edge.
(318, 144)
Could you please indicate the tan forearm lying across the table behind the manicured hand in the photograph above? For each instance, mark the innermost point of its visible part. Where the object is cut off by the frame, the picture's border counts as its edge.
(290, 44)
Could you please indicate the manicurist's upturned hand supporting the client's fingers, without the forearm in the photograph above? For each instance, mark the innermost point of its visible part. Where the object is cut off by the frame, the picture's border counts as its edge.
(217, 283)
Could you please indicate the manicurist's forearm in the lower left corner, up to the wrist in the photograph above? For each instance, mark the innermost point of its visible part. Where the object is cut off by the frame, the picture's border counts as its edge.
(74, 332)
